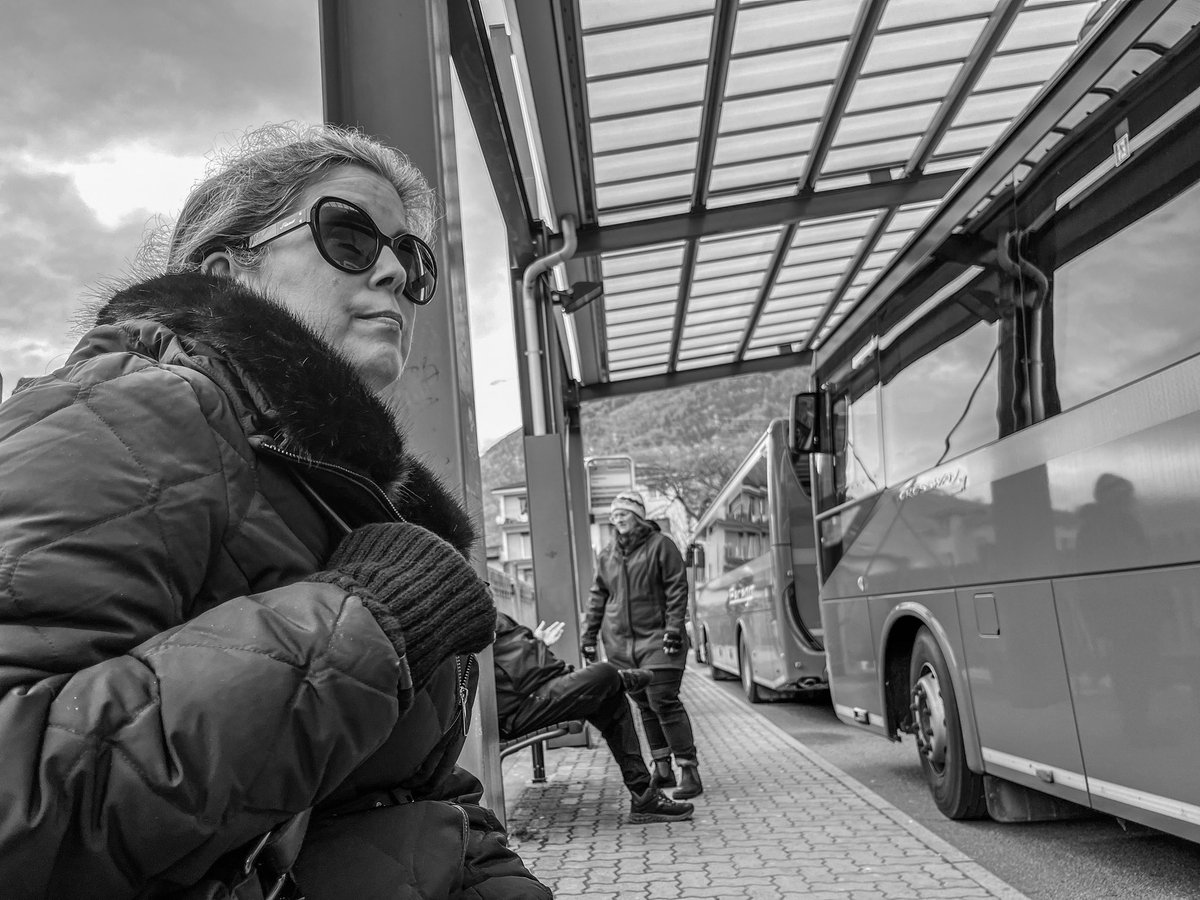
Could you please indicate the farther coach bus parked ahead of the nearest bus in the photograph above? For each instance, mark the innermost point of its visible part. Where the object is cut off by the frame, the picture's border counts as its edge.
(753, 580)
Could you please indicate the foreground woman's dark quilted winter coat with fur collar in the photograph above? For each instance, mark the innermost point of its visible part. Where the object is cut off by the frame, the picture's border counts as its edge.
(171, 687)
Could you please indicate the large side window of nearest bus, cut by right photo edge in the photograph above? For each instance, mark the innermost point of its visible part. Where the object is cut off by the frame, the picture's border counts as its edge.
(1106, 335)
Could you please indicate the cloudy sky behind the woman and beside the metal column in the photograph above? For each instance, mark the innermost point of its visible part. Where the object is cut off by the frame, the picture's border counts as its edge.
(110, 113)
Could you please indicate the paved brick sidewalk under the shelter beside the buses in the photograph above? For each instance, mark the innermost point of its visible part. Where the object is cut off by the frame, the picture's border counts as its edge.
(775, 821)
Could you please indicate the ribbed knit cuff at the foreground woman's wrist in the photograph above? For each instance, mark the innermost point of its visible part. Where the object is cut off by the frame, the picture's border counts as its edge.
(425, 597)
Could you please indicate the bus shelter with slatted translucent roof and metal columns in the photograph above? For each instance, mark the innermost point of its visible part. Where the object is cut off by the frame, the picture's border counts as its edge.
(698, 189)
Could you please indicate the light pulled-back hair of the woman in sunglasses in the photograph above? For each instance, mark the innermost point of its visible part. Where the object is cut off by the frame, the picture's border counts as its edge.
(260, 181)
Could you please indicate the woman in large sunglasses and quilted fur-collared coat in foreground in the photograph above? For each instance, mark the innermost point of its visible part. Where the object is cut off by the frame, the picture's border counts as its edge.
(236, 615)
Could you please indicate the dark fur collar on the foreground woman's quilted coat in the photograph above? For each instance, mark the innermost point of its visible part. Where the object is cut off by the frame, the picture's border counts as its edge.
(290, 387)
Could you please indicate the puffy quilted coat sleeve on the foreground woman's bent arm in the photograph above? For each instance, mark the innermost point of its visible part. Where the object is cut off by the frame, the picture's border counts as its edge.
(137, 743)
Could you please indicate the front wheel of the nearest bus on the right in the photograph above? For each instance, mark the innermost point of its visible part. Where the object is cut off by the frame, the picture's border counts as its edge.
(957, 791)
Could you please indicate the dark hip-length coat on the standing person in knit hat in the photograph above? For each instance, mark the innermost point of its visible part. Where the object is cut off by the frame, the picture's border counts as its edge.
(638, 596)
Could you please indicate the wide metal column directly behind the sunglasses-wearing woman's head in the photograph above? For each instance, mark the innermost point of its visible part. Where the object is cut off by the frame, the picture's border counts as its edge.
(386, 68)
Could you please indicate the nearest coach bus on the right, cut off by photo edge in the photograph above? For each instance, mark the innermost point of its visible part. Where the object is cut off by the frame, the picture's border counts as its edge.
(1006, 470)
